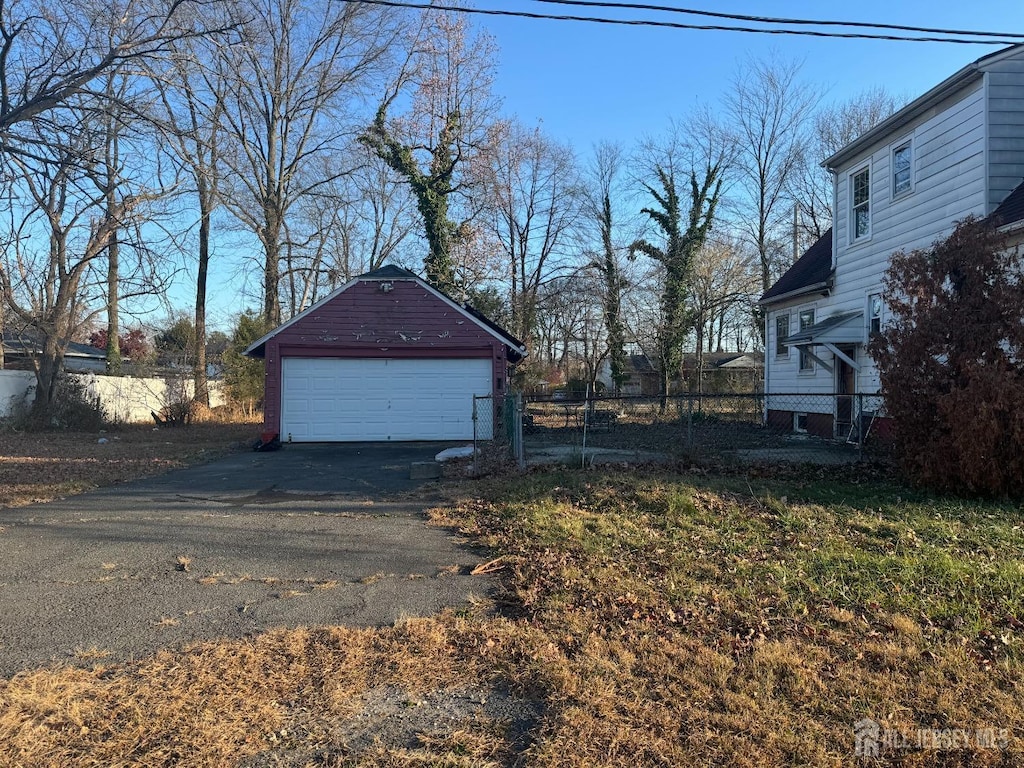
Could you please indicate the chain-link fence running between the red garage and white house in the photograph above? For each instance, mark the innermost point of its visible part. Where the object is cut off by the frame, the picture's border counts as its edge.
(746, 429)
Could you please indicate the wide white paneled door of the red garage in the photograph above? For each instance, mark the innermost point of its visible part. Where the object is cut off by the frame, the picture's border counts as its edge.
(328, 400)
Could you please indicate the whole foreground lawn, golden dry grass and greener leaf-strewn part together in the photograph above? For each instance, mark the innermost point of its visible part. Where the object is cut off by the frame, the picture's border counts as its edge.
(662, 622)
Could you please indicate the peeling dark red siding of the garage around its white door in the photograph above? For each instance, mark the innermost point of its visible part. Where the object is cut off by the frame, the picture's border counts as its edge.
(408, 321)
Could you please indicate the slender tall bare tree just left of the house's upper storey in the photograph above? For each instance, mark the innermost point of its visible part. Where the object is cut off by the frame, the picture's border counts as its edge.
(769, 110)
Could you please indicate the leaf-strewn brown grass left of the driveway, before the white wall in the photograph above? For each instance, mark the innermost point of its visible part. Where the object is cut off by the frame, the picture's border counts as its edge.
(39, 467)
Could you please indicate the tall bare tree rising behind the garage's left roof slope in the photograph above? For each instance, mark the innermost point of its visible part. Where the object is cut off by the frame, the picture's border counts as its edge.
(290, 88)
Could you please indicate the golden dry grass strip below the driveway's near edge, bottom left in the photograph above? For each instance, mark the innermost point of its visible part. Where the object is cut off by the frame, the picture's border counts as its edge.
(221, 703)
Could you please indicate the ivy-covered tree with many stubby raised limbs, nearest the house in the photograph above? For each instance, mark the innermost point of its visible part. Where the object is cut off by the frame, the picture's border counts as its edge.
(677, 254)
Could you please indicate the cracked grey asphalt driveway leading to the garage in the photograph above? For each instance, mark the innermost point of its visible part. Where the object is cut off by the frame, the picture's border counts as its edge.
(306, 536)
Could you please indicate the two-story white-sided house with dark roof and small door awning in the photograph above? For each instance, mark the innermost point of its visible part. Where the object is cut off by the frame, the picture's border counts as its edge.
(955, 152)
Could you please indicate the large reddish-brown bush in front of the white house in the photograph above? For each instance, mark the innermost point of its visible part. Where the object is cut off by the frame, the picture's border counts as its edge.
(952, 362)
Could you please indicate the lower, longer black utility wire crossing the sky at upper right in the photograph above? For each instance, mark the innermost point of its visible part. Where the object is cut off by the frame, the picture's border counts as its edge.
(679, 25)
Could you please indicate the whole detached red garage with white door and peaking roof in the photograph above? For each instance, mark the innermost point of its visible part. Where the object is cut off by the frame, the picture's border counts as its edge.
(385, 358)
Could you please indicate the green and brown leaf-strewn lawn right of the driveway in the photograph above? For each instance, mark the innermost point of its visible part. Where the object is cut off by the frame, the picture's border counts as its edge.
(749, 609)
